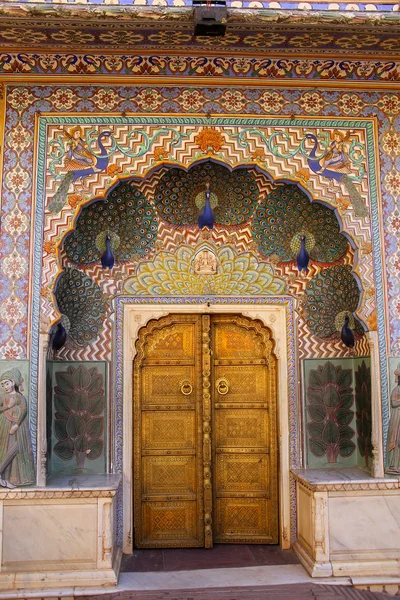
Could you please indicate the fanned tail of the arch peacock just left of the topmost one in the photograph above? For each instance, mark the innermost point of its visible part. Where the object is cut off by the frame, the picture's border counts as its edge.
(125, 217)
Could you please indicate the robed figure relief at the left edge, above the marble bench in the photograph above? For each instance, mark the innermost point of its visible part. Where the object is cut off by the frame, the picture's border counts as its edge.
(16, 457)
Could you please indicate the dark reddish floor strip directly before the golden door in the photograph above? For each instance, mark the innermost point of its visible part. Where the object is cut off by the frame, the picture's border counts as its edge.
(221, 556)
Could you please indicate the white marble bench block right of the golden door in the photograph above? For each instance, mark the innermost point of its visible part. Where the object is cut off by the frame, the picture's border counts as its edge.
(348, 523)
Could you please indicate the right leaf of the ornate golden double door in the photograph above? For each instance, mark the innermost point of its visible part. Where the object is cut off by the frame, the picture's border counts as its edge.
(244, 432)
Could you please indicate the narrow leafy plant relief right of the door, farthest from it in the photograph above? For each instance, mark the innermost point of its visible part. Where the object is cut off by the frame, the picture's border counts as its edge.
(363, 411)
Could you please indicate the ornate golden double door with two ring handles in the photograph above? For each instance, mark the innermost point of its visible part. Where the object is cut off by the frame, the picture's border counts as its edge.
(205, 440)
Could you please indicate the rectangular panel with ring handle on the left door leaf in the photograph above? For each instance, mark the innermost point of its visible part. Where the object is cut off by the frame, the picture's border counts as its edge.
(166, 385)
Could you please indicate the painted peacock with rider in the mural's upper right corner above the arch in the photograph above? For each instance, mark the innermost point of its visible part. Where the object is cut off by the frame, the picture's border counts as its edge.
(334, 167)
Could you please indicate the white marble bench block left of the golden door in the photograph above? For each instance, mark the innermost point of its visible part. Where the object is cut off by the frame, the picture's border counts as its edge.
(60, 535)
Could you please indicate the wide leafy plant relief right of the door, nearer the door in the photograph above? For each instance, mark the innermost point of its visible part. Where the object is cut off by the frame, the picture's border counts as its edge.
(330, 398)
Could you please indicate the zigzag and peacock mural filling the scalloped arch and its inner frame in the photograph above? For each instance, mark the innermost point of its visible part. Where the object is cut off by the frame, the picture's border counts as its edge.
(142, 216)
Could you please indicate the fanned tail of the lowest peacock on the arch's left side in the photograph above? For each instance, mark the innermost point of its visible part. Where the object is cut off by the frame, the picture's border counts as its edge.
(82, 301)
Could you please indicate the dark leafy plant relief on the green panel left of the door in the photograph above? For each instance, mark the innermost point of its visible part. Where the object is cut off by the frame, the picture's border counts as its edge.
(79, 403)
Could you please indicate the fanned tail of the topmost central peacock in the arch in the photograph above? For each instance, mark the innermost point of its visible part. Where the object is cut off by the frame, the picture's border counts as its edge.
(180, 195)
